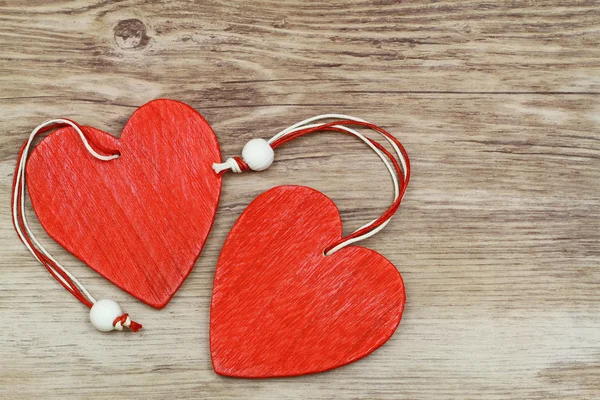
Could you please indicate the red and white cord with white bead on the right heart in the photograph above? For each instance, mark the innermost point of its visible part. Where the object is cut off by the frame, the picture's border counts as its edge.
(400, 173)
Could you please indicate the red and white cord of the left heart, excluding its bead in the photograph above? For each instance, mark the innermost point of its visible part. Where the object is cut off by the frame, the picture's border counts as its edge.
(68, 281)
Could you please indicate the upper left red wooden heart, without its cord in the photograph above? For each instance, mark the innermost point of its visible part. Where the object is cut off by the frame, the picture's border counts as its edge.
(140, 220)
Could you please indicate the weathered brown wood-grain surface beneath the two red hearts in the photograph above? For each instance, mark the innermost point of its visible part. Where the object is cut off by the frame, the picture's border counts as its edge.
(497, 104)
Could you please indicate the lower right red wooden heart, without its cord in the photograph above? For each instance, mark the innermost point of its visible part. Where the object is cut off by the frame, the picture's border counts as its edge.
(280, 307)
